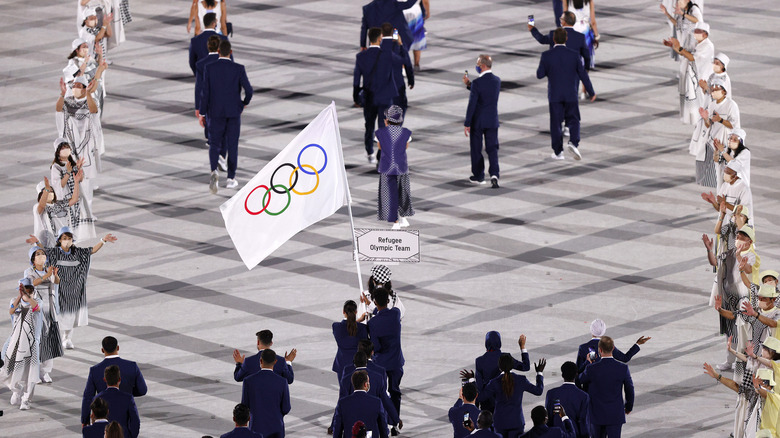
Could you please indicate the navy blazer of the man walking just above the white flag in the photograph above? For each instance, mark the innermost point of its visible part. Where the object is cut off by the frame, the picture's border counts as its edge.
(222, 84)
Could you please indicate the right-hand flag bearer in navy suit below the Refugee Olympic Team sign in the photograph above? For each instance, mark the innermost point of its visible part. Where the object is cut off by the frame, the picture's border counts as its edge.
(385, 332)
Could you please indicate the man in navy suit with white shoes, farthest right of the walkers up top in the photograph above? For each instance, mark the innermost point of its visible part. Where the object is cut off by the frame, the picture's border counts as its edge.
(563, 68)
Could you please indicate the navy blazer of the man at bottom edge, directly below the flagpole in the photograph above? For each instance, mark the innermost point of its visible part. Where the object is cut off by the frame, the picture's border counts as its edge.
(359, 406)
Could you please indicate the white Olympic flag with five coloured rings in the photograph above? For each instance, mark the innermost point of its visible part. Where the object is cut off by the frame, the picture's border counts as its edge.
(302, 185)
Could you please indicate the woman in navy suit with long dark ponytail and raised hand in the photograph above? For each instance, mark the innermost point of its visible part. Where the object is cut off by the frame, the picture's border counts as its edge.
(507, 389)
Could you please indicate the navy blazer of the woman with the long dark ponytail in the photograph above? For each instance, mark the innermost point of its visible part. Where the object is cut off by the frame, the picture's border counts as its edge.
(509, 410)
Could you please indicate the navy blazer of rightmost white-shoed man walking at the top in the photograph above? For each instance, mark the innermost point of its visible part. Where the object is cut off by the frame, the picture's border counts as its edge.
(563, 68)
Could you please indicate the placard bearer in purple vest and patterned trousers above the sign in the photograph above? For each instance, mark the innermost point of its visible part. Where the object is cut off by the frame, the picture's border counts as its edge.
(394, 199)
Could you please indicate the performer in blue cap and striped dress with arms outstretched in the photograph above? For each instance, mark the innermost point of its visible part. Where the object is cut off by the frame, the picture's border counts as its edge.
(73, 263)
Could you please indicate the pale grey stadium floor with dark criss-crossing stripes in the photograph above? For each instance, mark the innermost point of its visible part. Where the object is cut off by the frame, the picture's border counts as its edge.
(615, 236)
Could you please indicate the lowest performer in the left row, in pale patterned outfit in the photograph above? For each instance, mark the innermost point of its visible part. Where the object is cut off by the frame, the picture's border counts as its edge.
(22, 348)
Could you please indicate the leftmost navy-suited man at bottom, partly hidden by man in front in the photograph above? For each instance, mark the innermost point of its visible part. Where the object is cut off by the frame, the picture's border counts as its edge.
(132, 383)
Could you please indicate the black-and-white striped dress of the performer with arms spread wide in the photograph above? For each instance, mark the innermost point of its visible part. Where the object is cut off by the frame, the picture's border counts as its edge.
(73, 270)
